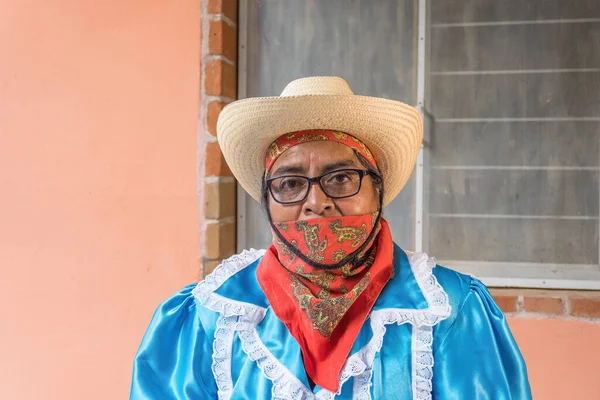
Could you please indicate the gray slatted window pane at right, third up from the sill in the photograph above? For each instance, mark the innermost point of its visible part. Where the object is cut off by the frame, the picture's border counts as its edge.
(555, 144)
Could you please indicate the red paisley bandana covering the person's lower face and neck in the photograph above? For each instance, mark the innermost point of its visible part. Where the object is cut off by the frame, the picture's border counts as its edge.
(333, 303)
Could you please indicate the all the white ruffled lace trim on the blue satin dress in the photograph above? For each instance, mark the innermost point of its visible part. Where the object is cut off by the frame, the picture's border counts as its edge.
(360, 364)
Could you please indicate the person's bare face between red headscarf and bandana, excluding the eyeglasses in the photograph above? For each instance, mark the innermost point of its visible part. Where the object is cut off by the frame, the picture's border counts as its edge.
(314, 159)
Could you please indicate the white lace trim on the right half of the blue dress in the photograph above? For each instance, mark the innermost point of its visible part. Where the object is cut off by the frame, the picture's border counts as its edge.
(360, 364)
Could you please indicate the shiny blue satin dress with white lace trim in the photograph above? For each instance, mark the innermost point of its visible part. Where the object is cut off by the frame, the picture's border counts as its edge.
(433, 333)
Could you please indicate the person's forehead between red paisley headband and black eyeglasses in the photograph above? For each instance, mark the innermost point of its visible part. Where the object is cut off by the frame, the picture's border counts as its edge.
(315, 154)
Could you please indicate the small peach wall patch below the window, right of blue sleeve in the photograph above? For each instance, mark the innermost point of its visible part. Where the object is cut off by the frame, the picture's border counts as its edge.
(562, 356)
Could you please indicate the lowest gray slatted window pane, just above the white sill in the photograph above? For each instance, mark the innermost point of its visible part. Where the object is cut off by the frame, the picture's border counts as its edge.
(514, 240)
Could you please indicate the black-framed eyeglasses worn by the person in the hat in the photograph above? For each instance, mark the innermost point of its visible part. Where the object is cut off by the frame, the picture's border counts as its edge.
(337, 184)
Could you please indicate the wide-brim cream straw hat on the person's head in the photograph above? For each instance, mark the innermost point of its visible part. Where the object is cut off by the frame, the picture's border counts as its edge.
(392, 130)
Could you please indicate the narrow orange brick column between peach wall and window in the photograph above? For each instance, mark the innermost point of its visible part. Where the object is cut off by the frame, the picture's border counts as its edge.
(218, 88)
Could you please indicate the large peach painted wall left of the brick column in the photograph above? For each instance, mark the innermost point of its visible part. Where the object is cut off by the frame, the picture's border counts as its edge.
(98, 205)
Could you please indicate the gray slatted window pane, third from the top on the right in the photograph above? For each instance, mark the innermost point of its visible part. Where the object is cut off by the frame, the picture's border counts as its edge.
(516, 96)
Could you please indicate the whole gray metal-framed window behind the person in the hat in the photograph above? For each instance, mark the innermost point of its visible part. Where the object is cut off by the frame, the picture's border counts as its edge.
(507, 187)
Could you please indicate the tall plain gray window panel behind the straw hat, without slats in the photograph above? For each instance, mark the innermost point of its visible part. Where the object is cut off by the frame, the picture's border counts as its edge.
(370, 43)
